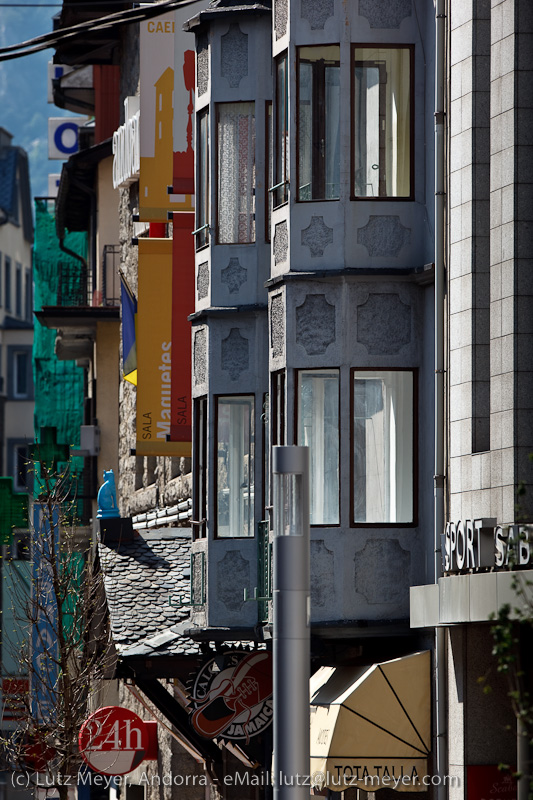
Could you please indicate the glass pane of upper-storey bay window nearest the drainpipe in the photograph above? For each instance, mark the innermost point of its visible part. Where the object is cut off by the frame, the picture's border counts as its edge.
(382, 120)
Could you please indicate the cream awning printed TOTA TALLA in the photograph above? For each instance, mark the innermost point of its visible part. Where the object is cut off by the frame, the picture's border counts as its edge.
(371, 726)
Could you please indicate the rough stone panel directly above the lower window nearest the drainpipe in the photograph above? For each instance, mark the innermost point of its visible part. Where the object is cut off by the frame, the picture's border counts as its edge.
(384, 324)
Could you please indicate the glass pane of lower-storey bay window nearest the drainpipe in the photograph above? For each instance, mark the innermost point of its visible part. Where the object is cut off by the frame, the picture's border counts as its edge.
(383, 447)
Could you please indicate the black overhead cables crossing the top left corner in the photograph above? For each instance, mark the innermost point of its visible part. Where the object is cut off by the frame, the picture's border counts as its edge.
(110, 21)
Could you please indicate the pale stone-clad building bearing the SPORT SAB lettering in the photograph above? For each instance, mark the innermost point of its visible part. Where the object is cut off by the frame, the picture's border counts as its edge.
(483, 526)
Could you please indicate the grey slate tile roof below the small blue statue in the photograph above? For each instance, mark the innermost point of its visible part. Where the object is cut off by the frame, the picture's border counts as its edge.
(139, 577)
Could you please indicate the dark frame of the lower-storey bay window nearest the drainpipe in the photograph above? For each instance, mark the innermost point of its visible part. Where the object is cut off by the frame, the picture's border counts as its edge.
(414, 371)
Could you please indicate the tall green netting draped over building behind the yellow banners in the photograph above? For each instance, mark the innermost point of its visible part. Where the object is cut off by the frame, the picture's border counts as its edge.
(59, 279)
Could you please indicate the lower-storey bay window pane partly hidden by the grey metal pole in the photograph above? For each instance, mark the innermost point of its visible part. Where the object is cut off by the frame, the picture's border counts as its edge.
(318, 429)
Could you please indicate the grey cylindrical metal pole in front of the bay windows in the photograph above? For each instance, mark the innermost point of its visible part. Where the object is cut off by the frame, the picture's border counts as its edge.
(290, 468)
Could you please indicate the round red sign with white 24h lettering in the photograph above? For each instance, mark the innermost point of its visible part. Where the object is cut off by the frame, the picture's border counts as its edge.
(114, 740)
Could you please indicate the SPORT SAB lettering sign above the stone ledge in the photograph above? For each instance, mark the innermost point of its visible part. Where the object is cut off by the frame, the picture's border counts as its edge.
(482, 543)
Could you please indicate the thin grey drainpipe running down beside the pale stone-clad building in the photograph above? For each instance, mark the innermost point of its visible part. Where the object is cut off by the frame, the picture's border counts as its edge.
(438, 485)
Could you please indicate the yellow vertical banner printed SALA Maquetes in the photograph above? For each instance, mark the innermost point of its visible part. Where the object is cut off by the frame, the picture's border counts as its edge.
(154, 351)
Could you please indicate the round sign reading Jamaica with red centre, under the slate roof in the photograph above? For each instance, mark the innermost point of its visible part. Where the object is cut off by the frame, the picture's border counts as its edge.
(232, 695)
